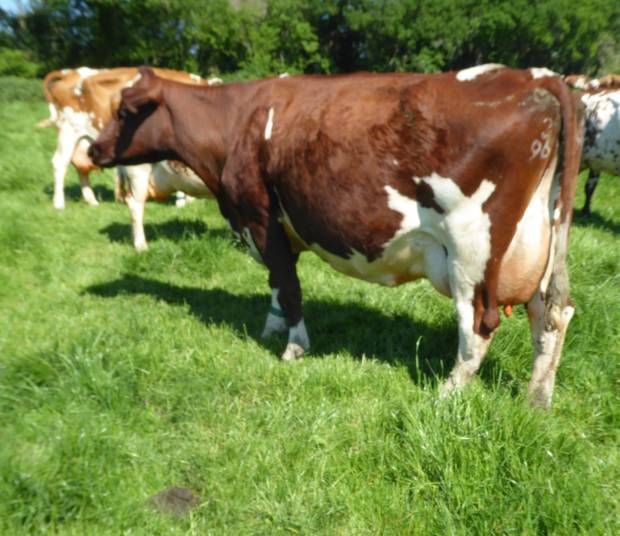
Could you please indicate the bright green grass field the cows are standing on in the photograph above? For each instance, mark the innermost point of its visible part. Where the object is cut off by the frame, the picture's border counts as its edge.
(122, 374)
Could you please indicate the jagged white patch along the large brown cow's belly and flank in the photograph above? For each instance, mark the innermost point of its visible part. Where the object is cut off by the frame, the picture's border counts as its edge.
(425, 240)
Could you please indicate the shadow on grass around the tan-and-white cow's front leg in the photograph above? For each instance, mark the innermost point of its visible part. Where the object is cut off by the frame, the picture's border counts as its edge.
(175, 230)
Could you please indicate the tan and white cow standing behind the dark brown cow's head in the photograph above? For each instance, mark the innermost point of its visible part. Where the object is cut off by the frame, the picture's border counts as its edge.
(81, 103)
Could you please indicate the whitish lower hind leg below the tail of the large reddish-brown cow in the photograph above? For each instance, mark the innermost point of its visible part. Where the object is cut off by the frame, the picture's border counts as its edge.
(548, 333)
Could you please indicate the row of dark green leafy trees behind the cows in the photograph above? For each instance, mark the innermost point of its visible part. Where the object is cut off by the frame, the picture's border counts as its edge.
(254, 38)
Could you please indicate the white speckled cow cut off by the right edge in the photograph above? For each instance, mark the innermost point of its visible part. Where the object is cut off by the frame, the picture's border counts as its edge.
(601, 147)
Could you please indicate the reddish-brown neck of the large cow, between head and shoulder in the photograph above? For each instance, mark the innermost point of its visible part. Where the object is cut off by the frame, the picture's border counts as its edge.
(203, 119)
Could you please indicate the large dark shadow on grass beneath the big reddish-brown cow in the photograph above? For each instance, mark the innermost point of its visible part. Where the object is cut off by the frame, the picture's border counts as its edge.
(360, 330)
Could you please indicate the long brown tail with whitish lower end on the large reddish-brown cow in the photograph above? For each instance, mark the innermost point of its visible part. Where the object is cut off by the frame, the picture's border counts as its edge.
(557, 292)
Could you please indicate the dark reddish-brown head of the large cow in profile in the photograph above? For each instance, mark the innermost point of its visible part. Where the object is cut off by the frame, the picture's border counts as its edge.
(140, 130)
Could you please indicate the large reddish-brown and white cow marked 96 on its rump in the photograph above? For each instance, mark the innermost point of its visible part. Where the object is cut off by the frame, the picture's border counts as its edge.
(458, 177)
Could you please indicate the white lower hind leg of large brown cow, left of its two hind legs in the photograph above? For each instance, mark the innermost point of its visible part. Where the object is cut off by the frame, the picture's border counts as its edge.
(472, 349)
